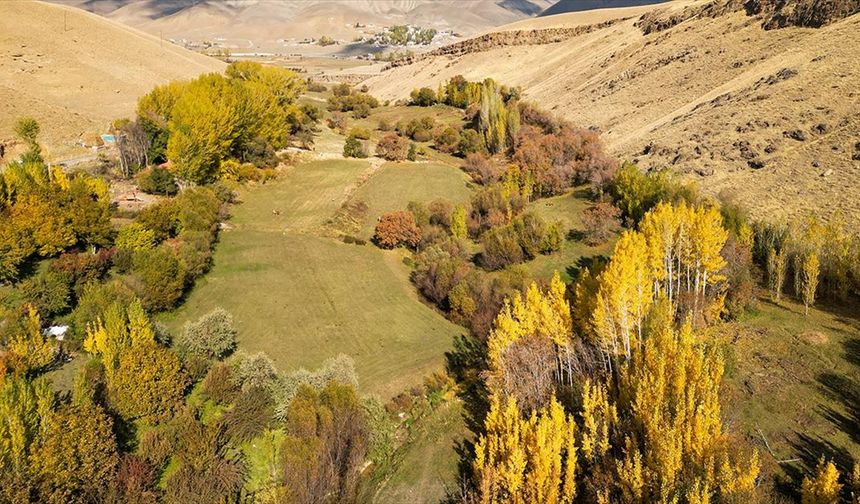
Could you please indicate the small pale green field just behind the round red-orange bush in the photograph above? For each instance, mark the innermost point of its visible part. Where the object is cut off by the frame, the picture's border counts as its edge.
(396, 184)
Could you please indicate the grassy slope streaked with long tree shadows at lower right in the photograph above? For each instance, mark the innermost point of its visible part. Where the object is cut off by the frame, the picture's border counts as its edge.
(795, 381)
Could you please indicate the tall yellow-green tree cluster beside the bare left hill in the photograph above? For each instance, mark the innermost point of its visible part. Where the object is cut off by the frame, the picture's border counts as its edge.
(198, 124)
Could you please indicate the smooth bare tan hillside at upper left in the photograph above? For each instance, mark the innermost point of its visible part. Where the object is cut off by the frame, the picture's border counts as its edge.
(75, 72)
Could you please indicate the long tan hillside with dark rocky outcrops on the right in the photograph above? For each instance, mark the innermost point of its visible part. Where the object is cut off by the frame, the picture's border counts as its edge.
(772, 116)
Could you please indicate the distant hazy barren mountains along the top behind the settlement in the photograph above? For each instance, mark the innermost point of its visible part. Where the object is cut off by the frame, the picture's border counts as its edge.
(261, 22)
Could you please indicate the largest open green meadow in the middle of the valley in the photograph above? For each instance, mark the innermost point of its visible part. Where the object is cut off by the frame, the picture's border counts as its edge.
(302, 298)
